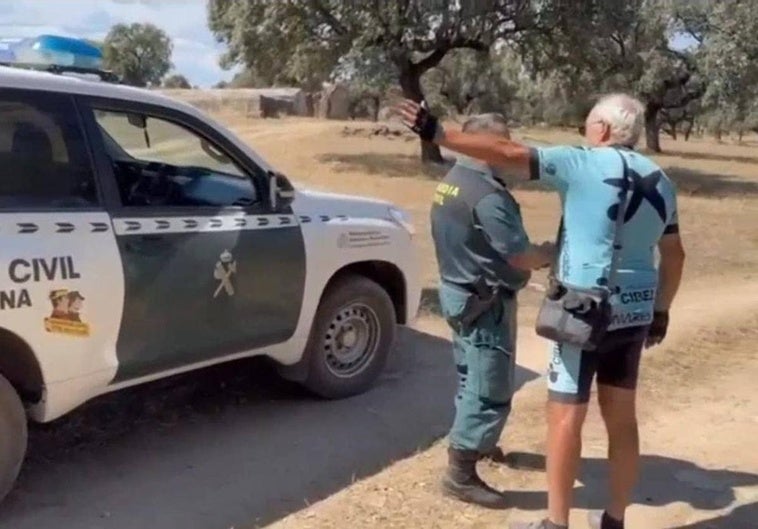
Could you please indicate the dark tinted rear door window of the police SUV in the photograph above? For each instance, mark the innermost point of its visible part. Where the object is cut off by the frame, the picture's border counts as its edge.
(44, 161)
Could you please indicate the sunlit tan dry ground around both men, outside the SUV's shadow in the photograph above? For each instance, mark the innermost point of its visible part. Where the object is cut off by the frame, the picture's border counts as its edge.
(698, 408)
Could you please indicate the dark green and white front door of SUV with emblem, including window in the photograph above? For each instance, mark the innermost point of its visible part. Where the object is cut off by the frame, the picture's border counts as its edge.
(210, 268)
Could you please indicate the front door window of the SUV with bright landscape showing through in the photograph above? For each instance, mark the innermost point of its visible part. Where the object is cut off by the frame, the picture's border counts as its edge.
(160, 163)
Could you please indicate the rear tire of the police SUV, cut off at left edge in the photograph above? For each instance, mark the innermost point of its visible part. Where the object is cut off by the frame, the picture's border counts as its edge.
(13, 440)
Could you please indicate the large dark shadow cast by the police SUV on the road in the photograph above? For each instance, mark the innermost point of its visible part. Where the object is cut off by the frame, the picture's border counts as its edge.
(228, 446)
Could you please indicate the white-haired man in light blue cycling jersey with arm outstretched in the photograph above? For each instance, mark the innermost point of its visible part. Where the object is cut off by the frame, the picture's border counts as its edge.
(591, 183)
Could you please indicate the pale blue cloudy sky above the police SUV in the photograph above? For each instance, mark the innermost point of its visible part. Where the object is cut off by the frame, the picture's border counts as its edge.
(196, 52)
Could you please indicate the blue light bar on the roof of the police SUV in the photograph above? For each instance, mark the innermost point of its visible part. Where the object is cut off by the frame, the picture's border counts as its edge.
(57, 50)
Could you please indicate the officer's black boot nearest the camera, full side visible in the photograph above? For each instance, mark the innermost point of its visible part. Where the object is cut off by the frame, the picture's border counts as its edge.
(462, 482)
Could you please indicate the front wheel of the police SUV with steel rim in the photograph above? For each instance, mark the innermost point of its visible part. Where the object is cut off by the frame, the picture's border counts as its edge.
(351, 338)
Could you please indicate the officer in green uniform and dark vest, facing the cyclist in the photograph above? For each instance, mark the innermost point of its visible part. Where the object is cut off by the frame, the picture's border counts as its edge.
(485, 258)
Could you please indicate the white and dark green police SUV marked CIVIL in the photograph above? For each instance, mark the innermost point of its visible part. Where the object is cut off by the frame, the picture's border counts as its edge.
(141, 239)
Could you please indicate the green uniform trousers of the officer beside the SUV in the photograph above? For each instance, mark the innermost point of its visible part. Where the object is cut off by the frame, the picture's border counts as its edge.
(485, 358)
